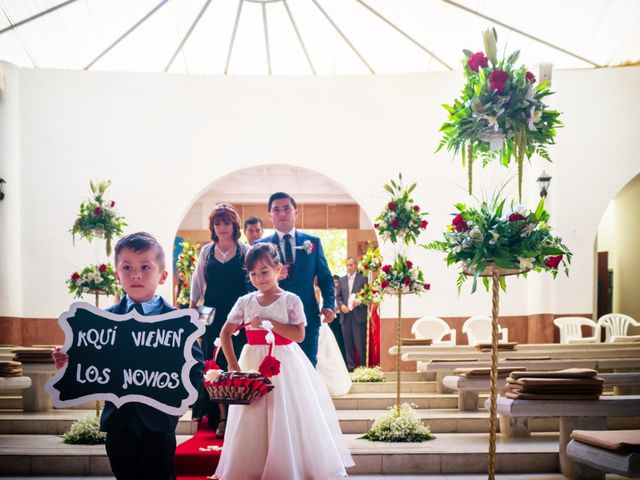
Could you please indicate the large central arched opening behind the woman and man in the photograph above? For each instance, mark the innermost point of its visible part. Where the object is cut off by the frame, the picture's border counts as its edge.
(325, 209)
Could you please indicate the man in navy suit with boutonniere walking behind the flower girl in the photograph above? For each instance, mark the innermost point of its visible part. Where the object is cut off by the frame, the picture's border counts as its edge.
(303, 259)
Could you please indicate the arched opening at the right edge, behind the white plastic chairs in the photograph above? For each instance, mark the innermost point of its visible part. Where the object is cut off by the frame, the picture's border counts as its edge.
(618, 253)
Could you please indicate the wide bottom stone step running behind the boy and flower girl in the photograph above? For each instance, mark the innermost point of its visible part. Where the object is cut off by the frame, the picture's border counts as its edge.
(449, 453)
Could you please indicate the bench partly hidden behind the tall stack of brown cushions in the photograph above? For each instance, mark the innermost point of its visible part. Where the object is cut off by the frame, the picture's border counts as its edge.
(468, 388)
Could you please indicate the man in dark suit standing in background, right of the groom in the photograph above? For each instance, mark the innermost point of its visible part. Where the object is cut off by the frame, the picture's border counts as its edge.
(353, 314)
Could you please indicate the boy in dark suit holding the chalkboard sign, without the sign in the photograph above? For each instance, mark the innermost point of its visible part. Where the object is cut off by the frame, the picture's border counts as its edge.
(141, 439)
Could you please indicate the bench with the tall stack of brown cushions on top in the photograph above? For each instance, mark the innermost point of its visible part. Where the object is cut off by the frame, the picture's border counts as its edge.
(574, 415)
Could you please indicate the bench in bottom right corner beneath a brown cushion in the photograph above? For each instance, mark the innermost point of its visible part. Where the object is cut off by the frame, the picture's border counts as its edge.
(602, 461)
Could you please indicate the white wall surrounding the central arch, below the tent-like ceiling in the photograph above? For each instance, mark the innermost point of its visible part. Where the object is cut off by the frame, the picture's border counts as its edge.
(164, 139)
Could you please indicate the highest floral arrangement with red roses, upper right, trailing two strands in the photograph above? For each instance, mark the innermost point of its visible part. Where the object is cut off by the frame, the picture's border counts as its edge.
(501, 112)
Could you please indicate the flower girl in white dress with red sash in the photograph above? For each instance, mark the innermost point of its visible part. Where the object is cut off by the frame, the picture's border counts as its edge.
(292, 432)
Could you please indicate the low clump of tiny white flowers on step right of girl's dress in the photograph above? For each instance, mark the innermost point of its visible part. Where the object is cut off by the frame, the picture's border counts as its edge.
(405, 427)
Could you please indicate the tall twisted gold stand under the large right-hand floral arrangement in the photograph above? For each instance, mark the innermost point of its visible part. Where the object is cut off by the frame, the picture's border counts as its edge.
(495, 273)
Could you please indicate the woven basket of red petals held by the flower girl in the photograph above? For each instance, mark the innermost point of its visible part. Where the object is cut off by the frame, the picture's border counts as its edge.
(238, 387)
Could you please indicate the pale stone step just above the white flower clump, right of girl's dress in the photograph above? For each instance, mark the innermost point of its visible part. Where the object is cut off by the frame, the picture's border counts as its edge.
(380, 401)
